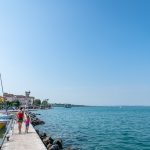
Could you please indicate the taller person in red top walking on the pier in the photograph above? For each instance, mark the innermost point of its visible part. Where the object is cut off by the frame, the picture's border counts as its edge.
(20, 117)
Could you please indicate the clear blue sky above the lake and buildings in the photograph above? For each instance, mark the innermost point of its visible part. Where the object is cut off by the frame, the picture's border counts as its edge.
(90, 52)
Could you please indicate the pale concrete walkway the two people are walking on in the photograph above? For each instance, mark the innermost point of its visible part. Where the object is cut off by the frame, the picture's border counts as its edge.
(24, 141)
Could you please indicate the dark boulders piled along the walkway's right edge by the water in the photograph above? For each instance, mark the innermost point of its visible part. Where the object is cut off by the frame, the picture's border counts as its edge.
(49, 142)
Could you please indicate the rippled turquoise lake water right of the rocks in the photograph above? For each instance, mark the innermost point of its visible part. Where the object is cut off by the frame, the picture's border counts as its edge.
(99, 128)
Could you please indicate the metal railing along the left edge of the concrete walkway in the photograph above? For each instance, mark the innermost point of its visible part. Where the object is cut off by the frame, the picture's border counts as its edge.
(9, 130)
